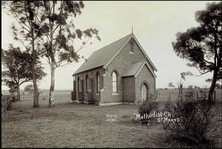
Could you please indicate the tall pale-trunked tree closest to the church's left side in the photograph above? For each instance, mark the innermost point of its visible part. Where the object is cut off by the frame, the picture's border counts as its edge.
(57, 22)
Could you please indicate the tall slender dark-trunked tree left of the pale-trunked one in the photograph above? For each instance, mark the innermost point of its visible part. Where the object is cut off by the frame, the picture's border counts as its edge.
(26, 14)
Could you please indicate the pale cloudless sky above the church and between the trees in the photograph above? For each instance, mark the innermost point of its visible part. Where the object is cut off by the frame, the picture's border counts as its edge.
(155, 25)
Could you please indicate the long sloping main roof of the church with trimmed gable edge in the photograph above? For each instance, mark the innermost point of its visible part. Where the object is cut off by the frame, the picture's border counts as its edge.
(103, 56)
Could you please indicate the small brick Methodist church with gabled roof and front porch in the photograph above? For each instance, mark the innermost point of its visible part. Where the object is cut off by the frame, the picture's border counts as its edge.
(118, 73)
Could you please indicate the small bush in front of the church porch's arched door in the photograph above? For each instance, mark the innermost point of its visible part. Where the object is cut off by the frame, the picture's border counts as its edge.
(146, 108)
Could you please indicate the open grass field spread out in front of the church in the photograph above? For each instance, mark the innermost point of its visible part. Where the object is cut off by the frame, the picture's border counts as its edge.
(79, 125)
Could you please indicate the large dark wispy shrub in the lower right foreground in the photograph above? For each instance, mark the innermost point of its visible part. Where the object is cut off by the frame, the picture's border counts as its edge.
(195, 118)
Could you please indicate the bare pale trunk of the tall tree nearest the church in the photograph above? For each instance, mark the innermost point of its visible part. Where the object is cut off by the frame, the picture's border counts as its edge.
(52, 86)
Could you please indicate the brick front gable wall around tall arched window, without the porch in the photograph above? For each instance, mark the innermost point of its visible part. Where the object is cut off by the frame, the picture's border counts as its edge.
(120, 63)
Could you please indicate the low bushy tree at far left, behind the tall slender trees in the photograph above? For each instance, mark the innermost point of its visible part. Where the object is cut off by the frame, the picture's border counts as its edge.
(18, 66)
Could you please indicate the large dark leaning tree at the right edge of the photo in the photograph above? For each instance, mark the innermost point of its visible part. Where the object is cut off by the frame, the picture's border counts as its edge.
(202, 45)
